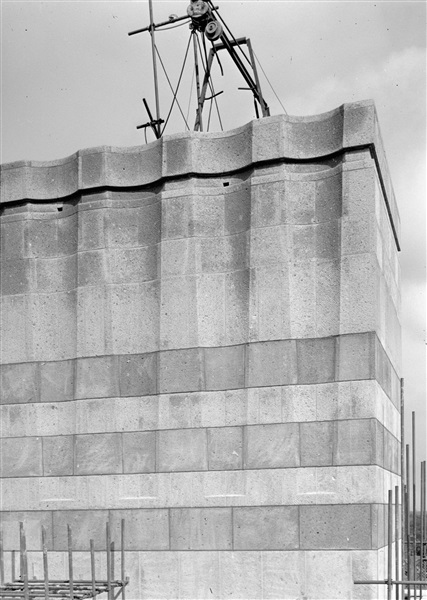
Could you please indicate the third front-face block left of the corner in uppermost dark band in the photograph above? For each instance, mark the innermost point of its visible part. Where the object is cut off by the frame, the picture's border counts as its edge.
(271, 363)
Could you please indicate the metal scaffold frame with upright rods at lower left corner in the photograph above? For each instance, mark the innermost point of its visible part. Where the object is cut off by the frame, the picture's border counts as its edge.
(24, 588)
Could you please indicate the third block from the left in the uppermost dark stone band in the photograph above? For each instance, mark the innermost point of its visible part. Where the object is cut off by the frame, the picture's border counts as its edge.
(97, 377)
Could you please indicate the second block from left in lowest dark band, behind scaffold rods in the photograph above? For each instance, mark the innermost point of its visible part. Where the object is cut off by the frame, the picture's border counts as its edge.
(85, 525)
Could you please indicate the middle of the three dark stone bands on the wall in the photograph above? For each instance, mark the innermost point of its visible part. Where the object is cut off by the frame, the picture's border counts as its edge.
(274, 446)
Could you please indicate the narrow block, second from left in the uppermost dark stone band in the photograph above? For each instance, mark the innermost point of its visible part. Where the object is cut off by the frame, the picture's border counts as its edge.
(57, 381)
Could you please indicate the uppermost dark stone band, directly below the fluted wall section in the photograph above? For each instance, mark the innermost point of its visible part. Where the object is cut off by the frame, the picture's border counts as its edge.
(349, 357)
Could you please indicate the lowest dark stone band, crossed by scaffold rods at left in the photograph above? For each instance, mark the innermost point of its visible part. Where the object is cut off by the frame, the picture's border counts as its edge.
(345, 526)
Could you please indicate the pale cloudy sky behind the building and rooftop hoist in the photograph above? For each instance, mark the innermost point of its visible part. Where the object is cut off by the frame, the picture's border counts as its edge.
(72, 78)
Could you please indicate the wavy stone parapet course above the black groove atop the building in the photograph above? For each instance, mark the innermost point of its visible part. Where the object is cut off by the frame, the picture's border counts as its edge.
(279, 138)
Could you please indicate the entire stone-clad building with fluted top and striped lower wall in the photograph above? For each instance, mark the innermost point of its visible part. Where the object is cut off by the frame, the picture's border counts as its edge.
(201, 336)
